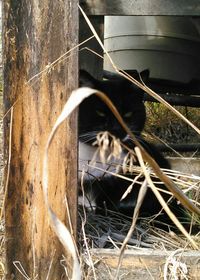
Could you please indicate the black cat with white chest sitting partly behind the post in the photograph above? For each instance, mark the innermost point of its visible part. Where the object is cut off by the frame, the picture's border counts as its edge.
(94, 116)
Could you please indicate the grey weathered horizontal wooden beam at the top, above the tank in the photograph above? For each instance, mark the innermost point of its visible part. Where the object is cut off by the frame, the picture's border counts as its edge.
(142, 7)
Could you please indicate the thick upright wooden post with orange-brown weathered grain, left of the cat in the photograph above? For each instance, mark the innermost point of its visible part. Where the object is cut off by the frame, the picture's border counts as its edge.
(36, 34)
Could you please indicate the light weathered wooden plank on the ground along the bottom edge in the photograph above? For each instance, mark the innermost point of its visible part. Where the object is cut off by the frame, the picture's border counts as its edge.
(143, 264)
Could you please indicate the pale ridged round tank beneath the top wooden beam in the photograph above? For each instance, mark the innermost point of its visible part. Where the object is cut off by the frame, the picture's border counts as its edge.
(168, 46)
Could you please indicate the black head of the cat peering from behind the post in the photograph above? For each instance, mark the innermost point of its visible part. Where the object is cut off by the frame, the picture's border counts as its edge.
(94, 115)
